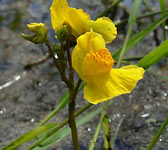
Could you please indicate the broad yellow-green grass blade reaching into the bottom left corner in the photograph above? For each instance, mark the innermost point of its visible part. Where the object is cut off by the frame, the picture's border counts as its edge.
(32, 134)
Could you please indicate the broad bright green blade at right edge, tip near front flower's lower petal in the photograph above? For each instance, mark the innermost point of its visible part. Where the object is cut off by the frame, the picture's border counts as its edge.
(155, 56)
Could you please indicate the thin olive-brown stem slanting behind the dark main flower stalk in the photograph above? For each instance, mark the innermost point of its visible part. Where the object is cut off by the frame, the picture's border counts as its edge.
(52, 131)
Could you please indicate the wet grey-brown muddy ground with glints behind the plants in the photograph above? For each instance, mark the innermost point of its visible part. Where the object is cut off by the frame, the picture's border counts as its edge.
(27, 96)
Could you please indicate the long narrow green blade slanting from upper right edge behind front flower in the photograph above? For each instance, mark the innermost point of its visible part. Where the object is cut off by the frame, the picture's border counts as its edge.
(141, 35)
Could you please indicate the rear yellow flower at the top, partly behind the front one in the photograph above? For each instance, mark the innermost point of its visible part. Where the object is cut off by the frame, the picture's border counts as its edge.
(79, 21)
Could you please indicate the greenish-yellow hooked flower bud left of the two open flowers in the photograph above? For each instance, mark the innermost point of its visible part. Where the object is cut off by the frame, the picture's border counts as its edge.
(40, 31)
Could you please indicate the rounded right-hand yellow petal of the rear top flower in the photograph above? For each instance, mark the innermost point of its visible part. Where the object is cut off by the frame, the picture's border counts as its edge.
(105, 27)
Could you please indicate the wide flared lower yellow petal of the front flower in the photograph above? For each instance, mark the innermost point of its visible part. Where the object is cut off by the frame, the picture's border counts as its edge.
(114, 83)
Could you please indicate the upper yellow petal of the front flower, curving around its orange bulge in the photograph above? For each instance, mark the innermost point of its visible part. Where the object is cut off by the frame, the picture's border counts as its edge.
(86, 43)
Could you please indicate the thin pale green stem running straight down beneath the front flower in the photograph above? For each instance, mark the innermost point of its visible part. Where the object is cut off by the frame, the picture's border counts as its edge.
(99, 126)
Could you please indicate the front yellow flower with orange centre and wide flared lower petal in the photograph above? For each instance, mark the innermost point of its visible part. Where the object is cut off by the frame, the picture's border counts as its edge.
(93, 62)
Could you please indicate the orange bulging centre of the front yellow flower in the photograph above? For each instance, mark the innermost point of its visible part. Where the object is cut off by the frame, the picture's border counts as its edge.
(97, 62)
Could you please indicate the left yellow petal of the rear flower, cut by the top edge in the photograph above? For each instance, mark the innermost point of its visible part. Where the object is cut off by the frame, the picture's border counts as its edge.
(61, 14)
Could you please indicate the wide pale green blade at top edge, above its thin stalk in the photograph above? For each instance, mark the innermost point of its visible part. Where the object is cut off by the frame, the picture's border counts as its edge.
(134, 11)
